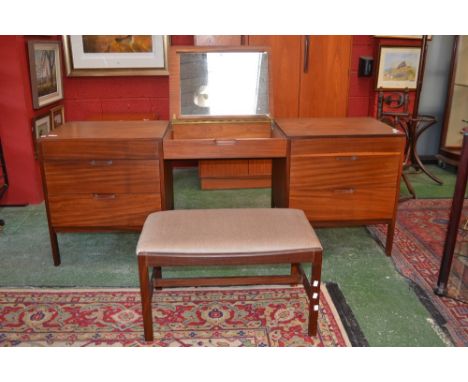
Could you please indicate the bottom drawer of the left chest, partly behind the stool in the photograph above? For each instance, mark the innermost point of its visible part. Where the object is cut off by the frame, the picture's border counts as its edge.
(102, 210)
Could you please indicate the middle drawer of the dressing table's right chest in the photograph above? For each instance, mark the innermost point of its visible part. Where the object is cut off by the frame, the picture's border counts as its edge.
(348, 171)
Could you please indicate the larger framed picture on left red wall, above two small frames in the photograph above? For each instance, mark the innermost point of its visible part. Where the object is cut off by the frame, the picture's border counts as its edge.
(45, 72)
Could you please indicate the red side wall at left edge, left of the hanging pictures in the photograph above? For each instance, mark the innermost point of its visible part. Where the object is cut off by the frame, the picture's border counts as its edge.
(16, 114)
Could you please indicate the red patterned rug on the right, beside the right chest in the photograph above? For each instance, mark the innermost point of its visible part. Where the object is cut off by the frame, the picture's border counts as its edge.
(417, 252)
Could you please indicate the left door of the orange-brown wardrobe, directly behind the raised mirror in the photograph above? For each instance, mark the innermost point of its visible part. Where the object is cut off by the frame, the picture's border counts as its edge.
(286, 67)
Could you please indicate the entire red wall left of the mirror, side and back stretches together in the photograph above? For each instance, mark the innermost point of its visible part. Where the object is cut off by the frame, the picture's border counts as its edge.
(84, 98)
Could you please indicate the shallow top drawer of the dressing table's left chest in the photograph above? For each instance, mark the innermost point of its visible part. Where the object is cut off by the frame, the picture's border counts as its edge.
(99, 149)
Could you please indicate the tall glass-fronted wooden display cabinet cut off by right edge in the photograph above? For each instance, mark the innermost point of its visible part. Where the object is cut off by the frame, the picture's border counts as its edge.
(456, 110)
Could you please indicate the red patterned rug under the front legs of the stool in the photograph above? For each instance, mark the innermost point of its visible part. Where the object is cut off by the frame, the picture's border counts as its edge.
(273, 316)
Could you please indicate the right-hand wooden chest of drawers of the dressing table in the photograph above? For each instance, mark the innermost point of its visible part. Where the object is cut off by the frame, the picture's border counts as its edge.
(344, 171)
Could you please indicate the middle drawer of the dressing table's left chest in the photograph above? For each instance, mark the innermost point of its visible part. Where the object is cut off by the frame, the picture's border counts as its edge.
(102, 176)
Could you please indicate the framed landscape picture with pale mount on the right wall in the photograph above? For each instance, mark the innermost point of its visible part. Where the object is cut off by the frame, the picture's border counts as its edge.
(398, 67)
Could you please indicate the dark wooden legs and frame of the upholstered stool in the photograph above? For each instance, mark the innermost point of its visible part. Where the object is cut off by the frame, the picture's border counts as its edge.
(154, 261)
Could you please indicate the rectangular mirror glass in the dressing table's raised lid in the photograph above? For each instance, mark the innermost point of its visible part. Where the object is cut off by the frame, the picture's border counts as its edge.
(224, 83)
